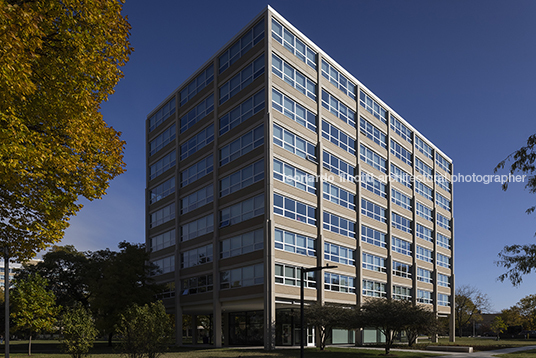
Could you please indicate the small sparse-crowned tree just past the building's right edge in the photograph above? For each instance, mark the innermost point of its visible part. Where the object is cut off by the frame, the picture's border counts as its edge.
(469, 304)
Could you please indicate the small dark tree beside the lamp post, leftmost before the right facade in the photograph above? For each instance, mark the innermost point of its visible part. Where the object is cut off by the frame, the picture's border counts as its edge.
(325, 318)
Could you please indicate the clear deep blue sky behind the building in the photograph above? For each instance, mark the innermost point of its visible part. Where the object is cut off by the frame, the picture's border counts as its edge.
(463, 73)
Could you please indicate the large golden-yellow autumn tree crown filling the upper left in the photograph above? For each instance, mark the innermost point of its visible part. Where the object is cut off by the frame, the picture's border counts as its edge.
(58, 61)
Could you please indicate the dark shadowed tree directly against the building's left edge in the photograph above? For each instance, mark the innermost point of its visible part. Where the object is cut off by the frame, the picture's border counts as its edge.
(117, 280)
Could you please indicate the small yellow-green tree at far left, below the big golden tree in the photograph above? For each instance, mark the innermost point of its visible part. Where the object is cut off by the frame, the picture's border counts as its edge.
(33, 307)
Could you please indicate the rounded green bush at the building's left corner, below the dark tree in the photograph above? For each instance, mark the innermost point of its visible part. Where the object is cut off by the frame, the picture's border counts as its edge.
(145, 330)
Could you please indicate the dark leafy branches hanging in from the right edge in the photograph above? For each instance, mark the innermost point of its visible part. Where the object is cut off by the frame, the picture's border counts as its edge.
(520, 260)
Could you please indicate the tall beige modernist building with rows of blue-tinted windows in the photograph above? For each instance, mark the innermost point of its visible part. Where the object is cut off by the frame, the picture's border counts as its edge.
(273, 157)
